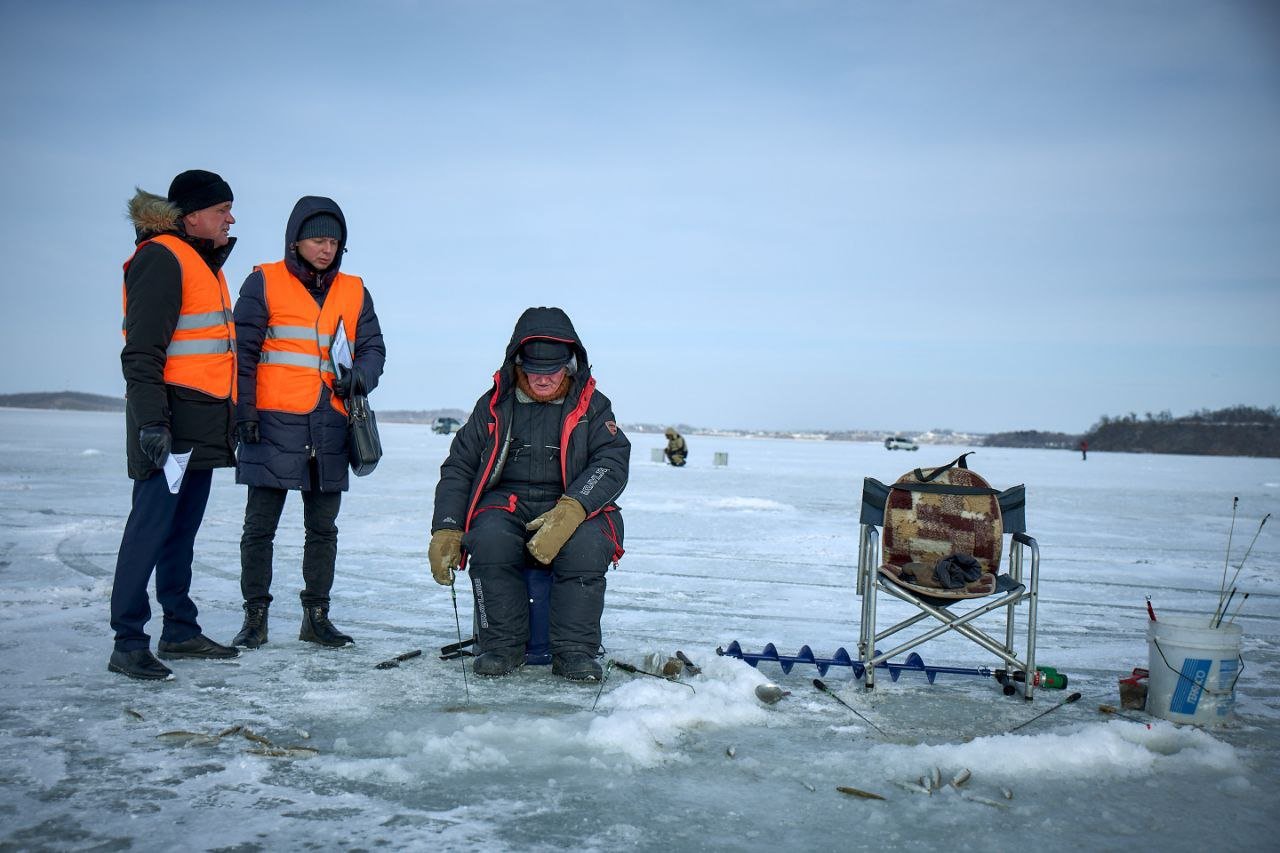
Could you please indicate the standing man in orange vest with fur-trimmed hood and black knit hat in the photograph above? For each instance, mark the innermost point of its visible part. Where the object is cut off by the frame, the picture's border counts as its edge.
(180, 375)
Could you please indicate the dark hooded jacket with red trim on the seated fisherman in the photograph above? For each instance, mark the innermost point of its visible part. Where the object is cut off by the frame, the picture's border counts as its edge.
(595, 453)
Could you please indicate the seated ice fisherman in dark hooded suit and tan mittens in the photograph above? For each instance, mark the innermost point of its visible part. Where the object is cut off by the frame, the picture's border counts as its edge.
(537, 468)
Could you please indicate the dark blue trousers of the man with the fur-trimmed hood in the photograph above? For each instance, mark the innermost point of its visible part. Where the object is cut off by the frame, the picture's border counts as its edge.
(159, 536)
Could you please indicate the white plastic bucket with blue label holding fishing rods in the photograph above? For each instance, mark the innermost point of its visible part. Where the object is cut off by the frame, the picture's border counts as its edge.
(1194, 669)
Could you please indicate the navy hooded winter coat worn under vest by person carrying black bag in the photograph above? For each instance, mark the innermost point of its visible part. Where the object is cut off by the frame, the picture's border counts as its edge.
(289, 441)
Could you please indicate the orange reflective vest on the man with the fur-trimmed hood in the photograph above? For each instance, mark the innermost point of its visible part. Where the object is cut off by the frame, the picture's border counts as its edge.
(202, 354)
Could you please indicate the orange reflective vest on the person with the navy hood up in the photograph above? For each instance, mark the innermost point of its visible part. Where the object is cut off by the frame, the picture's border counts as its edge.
(295, 362)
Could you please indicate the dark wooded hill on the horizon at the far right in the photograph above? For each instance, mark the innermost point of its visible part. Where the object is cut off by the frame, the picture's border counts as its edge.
(1238, 431)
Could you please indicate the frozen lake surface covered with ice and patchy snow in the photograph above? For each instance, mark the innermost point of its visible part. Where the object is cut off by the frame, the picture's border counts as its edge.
(764, 550)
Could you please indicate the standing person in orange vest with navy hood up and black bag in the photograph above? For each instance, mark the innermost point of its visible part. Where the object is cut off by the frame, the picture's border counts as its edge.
(292, 417)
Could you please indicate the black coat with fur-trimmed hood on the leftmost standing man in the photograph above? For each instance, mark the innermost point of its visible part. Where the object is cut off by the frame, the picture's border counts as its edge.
(199, 423)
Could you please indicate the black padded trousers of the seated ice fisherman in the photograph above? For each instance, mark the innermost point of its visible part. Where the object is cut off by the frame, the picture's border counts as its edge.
(496, 549)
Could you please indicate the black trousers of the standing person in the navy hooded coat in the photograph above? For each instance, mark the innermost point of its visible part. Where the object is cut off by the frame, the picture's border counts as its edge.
(319, 548)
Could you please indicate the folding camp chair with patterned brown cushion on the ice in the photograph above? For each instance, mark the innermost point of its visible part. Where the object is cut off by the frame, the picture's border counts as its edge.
(927, 517)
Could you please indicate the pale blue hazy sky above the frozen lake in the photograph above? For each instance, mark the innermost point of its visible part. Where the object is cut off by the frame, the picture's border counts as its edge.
(783, 216)
